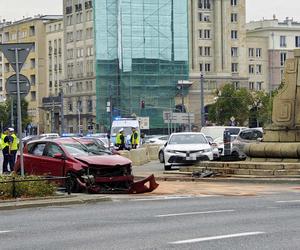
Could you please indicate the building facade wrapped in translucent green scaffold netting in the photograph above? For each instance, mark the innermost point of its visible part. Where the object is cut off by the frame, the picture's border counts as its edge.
(141, 54)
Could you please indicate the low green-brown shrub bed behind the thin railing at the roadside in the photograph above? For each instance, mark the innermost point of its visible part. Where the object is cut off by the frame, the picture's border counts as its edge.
(27, 188)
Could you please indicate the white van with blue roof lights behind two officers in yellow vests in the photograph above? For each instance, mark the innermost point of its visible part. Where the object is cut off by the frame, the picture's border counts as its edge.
(126, 124)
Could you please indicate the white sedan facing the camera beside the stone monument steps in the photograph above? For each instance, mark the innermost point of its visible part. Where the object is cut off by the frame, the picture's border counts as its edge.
(186, 147)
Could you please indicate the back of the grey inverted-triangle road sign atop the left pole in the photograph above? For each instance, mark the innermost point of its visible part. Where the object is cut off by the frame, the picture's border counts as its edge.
(9, 51)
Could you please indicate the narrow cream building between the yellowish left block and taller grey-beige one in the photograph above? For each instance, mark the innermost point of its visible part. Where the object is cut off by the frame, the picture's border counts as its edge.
(52, 102)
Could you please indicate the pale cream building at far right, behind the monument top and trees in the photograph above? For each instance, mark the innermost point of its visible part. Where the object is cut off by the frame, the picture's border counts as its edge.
(270, 43)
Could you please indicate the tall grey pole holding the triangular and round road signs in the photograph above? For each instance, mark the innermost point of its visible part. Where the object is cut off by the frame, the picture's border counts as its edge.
(19, 111)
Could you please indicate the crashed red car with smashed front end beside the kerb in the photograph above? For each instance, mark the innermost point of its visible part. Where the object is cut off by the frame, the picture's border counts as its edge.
(90, 168)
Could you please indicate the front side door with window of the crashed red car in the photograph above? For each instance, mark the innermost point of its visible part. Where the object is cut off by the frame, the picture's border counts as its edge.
(49, 165)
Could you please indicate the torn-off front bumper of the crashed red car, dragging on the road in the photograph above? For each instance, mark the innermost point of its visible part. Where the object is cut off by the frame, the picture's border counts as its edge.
(117, 184)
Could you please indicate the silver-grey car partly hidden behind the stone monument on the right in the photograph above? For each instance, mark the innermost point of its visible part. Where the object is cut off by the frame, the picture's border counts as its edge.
(251, 135)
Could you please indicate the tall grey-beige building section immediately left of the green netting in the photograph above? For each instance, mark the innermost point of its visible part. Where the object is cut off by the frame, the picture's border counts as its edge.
(79, 86)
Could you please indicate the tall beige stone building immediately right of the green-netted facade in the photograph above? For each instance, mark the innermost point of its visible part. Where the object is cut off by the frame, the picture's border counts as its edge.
(217, 48)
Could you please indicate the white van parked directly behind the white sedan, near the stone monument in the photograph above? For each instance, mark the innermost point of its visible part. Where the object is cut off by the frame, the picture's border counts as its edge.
(216, 132)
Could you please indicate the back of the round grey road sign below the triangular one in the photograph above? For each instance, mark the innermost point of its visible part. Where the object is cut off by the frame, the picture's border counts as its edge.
(11, 85)
